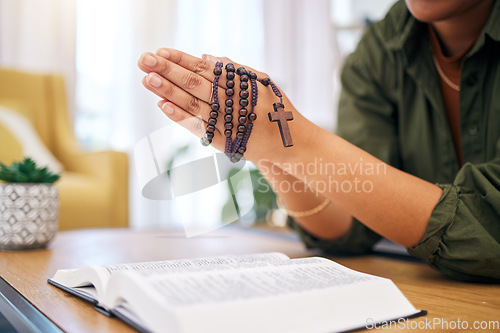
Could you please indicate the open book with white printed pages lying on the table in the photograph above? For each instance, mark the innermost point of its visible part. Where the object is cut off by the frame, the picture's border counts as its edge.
(266, 292)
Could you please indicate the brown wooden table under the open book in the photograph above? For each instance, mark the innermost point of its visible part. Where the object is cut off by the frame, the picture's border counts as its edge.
(27, 273)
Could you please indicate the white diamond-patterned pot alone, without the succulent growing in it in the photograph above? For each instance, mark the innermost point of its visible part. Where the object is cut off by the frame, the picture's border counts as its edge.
(28, 215)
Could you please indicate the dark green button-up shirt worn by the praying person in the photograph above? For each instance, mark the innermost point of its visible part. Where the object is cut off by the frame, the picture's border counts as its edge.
(391, 107)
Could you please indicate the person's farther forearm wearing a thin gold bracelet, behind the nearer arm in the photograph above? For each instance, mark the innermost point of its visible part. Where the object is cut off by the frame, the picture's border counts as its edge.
(330, 223)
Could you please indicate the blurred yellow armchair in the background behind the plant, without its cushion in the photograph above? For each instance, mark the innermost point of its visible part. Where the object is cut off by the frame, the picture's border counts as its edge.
(93, 189)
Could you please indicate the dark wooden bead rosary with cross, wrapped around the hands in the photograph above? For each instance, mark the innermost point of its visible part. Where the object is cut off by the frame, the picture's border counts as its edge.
(235, 148)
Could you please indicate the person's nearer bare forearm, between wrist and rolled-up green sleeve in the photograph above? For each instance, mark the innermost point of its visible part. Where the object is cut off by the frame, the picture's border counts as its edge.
(393, 203)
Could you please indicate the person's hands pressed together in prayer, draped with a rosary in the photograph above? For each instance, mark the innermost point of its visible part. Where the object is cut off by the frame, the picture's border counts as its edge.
(184, 84)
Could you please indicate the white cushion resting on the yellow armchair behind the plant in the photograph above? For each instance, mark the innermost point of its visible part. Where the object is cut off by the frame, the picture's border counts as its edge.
(18, 131)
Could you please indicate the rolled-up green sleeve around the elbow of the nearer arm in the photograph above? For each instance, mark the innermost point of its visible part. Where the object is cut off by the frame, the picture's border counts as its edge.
(462, 239)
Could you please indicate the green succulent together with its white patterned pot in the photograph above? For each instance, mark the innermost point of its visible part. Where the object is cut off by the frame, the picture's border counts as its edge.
(29, 205)
